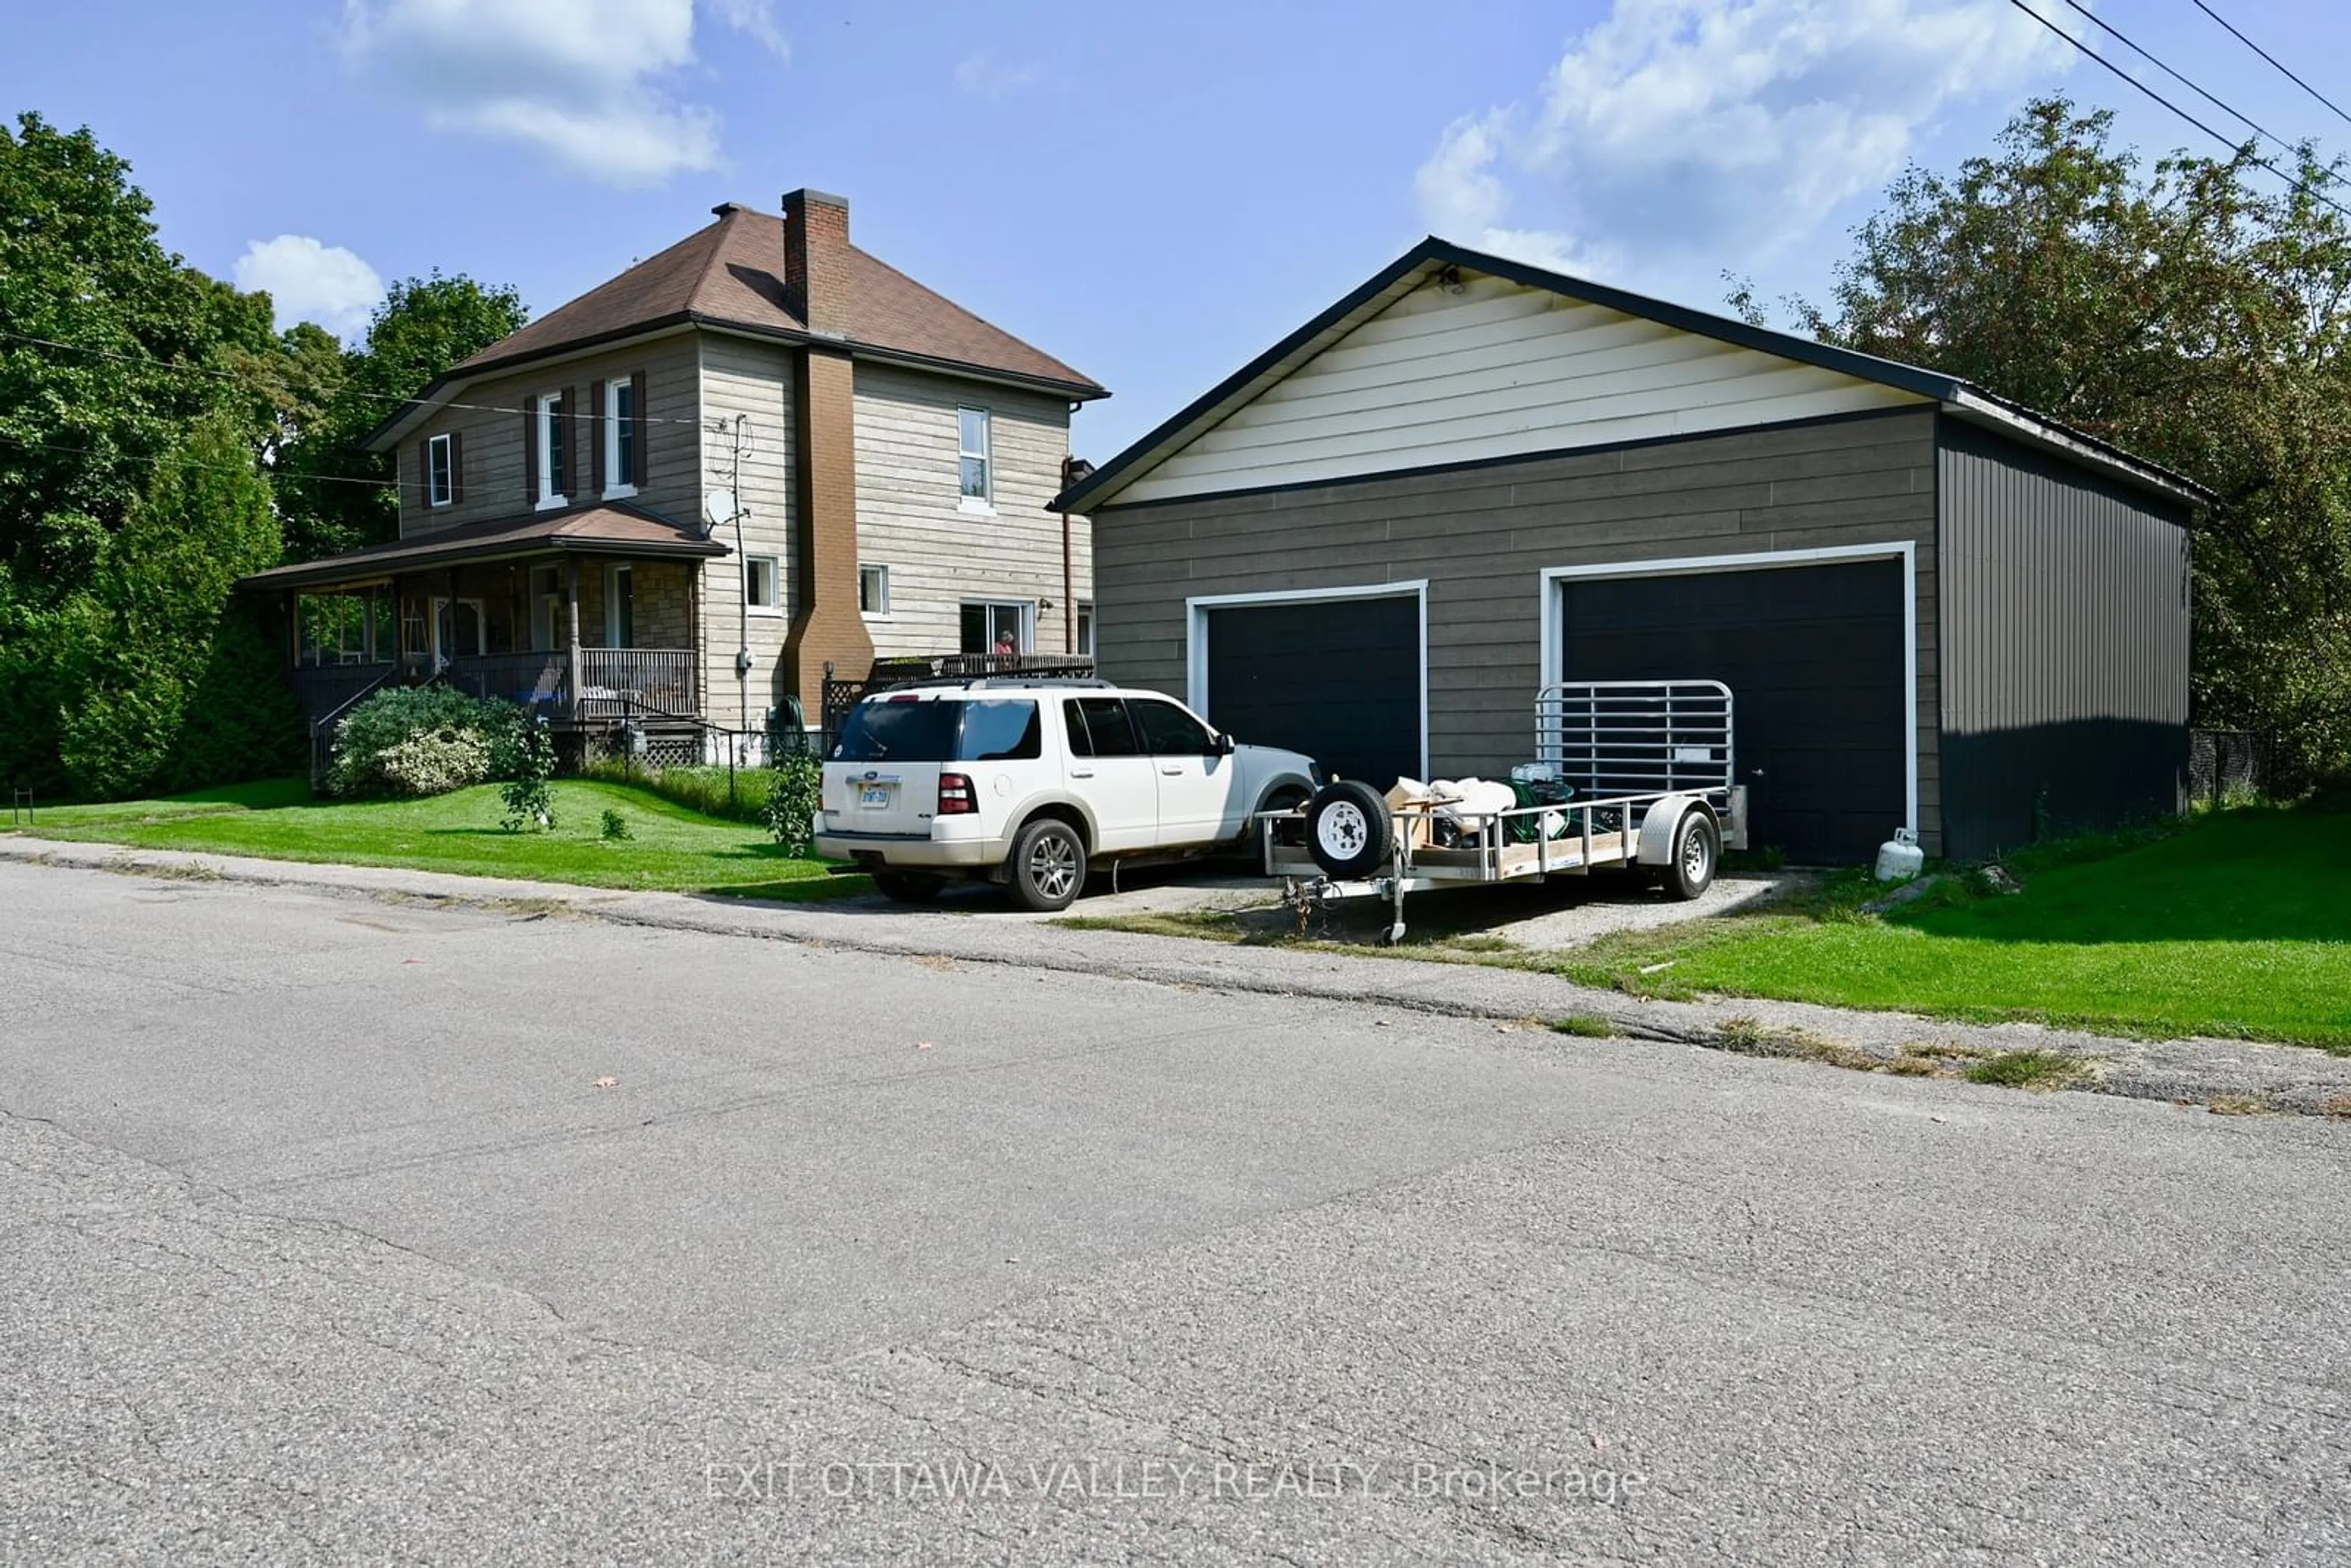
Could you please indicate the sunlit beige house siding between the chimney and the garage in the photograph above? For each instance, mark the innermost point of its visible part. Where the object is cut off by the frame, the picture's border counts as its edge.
(942, 556)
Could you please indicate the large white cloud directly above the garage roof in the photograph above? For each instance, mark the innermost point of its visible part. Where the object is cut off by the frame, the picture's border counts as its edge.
(1720, 133)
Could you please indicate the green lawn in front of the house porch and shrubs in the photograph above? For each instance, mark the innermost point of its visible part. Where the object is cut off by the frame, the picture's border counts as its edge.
(669, 845)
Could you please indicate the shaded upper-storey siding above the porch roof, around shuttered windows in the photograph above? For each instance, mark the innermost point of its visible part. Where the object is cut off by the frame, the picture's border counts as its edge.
(490, 429)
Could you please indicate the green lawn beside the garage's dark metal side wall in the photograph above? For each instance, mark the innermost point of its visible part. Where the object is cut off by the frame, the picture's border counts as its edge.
(2235, 925)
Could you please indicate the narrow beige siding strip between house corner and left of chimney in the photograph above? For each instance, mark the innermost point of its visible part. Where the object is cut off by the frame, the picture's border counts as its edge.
(751, 380)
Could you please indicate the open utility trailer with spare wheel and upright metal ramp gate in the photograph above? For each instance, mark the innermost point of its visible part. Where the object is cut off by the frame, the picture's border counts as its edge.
(1649, 782)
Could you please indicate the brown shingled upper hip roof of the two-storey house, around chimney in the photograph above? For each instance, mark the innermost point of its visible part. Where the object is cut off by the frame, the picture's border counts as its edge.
(730, 274)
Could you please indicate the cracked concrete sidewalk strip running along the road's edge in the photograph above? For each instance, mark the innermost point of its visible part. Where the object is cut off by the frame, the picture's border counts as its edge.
(2228, 1076)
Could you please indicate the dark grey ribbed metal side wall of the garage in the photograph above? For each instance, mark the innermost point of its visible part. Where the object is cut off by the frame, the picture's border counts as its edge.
(2065, 598)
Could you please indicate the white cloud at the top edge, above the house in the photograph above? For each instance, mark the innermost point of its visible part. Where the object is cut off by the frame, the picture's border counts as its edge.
(577, 79)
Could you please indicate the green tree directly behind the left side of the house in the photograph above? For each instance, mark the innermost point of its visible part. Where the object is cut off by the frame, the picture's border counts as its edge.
(333, 490)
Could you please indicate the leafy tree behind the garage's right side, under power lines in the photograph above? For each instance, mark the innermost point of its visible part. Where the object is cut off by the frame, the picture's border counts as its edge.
(2192, 314)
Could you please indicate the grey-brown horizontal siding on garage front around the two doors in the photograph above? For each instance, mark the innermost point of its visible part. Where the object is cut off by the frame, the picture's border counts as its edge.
(1485, 535)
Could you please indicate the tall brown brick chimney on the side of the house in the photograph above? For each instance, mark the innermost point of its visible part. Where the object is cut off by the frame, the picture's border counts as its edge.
(826, 619)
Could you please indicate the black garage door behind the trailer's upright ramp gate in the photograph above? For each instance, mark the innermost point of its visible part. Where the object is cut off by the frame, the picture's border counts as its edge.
(1814, 662)
